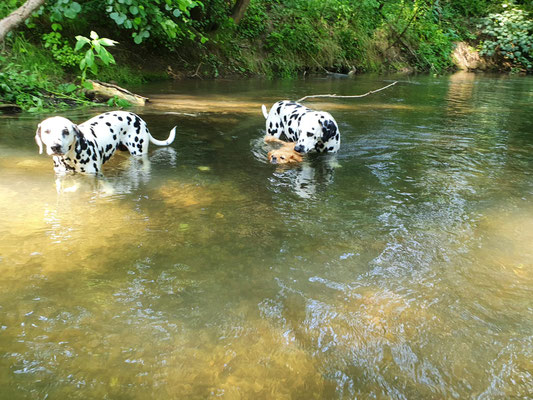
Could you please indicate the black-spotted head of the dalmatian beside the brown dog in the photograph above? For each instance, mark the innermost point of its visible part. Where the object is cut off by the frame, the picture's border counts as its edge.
(315, 128)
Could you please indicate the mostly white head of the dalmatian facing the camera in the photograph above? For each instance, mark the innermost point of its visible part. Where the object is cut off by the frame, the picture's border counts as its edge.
(57, 134)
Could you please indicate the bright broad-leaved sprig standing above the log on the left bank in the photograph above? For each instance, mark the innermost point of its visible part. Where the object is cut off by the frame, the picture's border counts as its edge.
(97, 51)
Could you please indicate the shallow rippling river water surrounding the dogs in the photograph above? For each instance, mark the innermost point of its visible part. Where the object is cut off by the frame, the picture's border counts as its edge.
(401, 268)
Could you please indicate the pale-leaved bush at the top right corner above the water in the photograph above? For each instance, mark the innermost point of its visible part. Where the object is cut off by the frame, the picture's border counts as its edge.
(509, 35)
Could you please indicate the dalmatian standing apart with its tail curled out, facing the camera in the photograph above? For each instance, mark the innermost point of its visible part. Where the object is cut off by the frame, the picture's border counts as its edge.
(86, 147)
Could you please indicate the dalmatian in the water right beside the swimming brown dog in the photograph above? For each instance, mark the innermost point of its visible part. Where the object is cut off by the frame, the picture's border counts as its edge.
(311, 130)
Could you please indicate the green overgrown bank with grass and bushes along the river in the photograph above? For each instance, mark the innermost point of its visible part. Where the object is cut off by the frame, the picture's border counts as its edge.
(171, 39)
